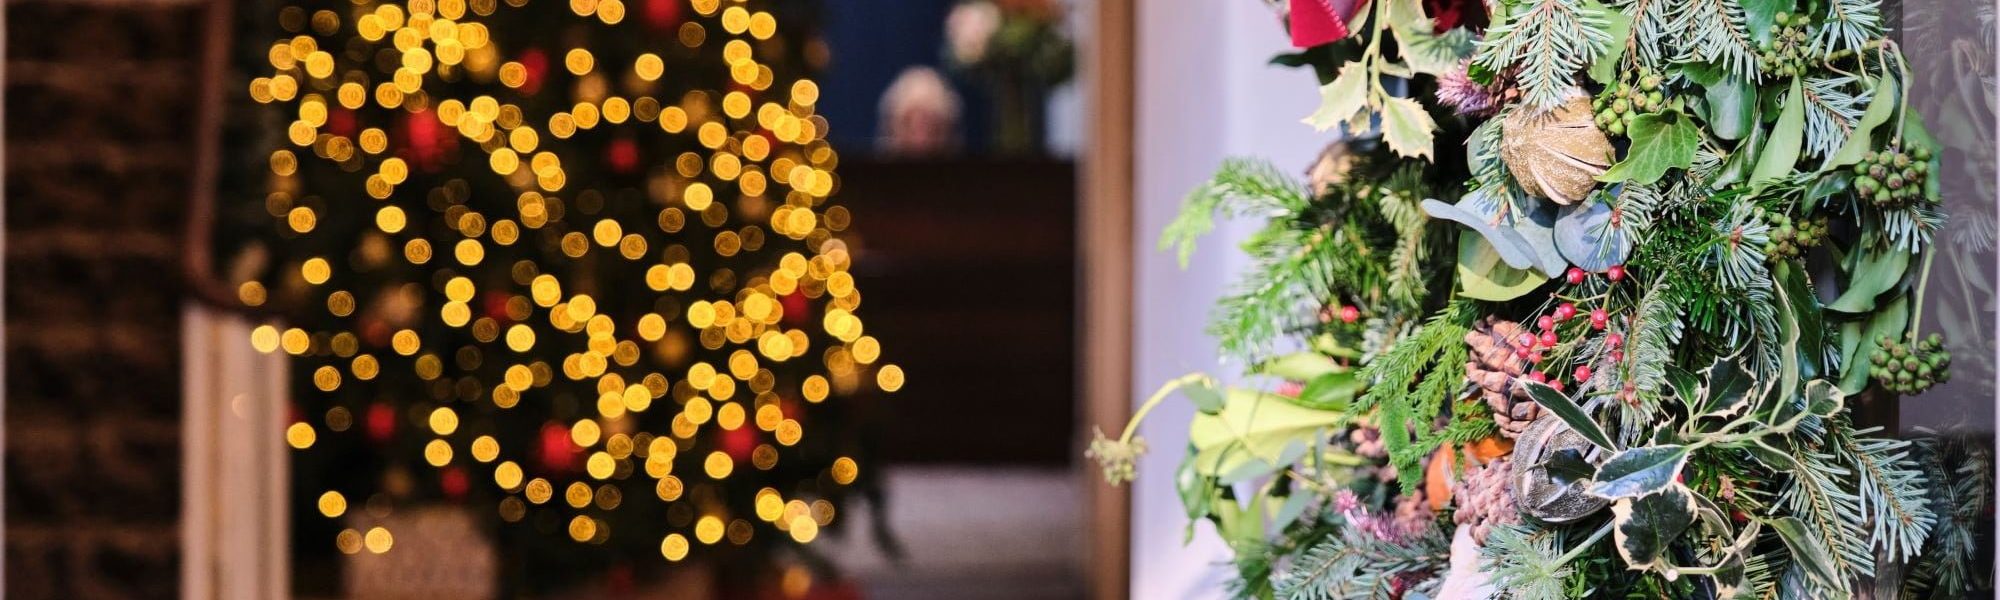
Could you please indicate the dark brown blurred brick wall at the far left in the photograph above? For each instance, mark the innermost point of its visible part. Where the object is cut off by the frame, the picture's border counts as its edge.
(99, 99)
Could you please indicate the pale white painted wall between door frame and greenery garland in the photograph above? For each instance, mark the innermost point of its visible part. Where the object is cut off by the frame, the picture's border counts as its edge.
(1205, 93)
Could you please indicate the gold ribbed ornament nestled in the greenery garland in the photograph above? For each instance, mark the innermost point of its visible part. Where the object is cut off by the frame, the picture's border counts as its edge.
(1557, 155)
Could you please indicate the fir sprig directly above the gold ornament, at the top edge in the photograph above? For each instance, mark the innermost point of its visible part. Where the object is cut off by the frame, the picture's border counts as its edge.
(1549, 41)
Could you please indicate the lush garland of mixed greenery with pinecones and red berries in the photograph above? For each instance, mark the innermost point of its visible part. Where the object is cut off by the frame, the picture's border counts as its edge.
(1689, 241)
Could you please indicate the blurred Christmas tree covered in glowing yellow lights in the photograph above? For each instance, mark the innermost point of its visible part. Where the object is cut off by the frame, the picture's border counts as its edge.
(569, 265)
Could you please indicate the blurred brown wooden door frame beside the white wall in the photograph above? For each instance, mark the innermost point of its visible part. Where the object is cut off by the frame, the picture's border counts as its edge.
(1105, 281)
